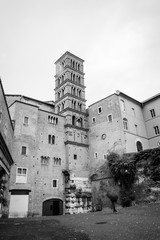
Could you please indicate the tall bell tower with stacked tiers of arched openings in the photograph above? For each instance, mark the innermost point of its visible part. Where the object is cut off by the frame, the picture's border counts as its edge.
(70, 102)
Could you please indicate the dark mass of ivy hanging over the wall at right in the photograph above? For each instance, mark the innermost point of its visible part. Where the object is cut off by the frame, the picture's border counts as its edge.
(124, 170)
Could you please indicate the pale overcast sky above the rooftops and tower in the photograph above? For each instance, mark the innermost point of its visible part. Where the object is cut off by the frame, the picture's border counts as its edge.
(118, 39)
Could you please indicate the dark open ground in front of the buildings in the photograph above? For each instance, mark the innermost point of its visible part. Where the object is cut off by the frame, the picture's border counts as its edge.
(138, 223)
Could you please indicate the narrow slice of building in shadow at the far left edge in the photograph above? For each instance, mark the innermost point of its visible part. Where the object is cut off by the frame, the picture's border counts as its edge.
(6, 160)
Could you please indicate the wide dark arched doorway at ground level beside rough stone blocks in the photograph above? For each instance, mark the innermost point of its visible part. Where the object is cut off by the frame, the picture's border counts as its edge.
(52, 207)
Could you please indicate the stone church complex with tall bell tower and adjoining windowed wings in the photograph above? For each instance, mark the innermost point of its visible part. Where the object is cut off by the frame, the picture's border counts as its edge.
(57, 145)
